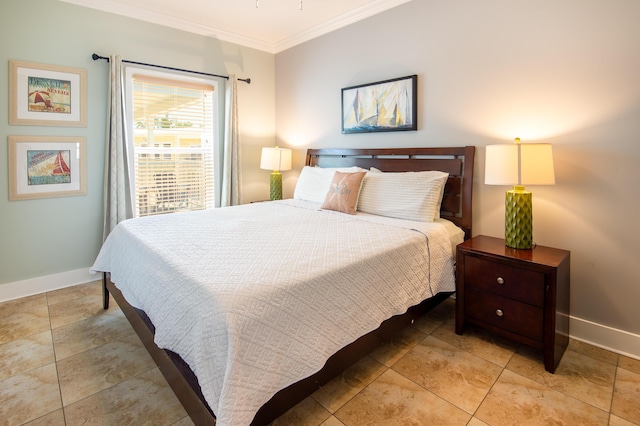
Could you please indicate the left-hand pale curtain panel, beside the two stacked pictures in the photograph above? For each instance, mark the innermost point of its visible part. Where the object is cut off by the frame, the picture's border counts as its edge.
(118, 203)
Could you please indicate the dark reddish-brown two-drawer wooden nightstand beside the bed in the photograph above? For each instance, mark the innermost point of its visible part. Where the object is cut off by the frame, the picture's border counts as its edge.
(520, 294)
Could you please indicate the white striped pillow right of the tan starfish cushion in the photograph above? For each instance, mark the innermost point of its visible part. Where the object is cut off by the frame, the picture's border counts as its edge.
(408, 195)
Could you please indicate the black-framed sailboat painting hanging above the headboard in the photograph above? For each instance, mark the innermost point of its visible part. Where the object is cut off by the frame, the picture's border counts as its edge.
(383, 106)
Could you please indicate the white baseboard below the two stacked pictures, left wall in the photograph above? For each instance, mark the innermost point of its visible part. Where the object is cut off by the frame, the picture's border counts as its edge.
(38, 285)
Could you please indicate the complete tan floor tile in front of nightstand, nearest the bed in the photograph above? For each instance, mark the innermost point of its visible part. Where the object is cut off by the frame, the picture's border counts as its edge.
(457, 376)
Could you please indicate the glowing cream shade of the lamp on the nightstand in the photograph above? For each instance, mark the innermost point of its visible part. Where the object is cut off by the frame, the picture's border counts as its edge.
(519, 164)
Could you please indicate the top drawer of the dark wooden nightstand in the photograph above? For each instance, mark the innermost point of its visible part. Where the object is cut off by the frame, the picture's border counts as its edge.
(504, 280)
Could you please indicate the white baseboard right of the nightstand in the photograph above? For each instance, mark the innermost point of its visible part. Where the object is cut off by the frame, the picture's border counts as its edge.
(602, 336)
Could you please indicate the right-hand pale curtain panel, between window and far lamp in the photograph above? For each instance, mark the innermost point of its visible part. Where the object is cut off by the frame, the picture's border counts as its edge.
(231, 174)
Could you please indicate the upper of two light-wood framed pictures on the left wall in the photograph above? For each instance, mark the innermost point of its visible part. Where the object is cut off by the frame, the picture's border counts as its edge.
(47, 95)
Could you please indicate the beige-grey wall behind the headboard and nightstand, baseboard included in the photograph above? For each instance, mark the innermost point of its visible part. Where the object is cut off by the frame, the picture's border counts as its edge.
(563, 72)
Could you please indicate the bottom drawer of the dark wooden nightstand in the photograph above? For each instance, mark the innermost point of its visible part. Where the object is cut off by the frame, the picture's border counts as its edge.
(520, 318)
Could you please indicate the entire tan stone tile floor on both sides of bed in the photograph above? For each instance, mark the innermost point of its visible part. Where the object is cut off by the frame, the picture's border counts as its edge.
(65, 361)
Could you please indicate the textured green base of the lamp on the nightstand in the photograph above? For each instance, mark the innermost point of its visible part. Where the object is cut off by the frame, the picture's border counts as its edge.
(518, 218)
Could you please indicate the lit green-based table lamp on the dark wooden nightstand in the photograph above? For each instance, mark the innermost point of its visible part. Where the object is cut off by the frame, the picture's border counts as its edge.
(518, 165)
